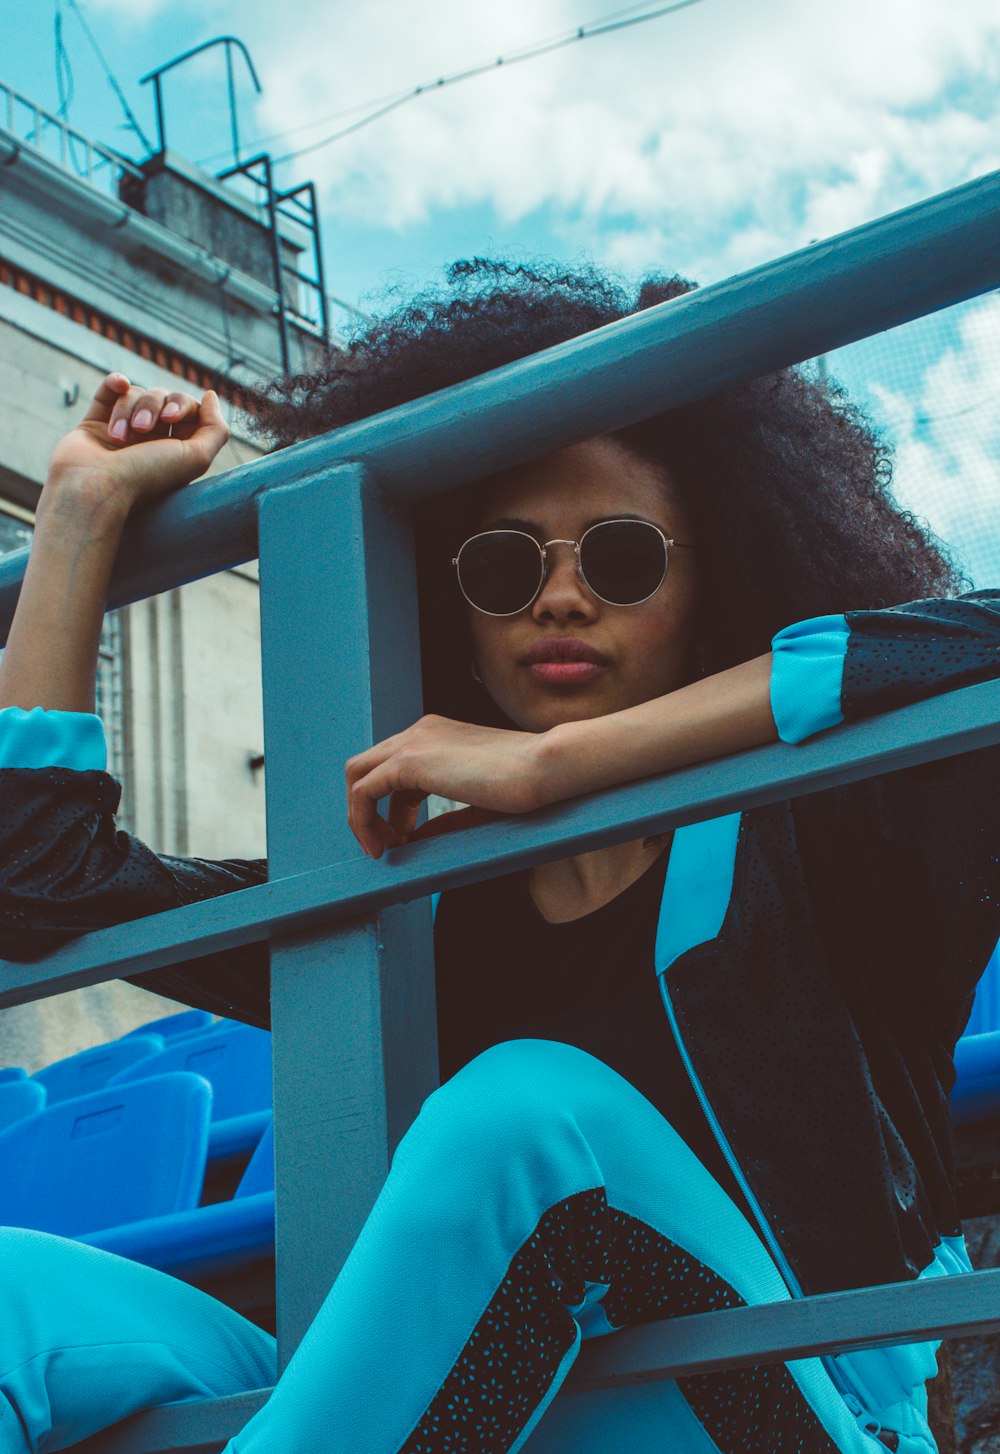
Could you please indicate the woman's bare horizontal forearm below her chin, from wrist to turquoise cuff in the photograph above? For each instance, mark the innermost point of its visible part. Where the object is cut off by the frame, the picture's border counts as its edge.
(714, 718)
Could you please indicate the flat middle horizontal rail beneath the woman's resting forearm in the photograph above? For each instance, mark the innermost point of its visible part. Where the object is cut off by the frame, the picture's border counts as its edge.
(948, 725)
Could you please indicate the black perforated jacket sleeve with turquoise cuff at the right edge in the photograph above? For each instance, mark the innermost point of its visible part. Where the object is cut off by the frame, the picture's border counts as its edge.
(924, 844)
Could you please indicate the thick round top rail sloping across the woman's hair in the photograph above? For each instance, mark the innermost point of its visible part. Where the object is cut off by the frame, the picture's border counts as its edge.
(899, 268)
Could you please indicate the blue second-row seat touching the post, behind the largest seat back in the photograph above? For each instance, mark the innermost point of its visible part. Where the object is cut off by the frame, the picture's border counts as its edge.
(236, 1062)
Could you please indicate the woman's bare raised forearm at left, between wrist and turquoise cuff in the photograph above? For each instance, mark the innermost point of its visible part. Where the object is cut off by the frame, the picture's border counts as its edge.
(52, 654)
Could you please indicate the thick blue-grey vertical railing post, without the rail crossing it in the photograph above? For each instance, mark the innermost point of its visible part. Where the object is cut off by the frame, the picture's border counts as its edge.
(352, 1007)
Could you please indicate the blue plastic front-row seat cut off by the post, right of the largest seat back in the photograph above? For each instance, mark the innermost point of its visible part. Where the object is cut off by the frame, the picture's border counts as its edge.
(207, 1241)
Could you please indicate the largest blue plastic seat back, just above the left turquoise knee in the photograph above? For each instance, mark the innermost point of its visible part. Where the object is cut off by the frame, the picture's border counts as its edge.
(117, 1155)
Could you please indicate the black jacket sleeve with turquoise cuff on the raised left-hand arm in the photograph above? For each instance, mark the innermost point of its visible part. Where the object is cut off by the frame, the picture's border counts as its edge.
(66, 869)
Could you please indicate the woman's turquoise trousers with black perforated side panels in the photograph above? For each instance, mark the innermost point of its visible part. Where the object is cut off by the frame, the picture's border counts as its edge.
(537, 1200)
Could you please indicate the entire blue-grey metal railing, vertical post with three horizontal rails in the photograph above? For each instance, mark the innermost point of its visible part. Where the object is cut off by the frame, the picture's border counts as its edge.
(352, 976)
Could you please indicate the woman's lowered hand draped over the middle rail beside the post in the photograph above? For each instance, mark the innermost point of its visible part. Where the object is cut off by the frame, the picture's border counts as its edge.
(488, 767)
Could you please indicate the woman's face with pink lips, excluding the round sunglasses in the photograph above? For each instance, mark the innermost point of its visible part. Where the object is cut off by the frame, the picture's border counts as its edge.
(637, 652)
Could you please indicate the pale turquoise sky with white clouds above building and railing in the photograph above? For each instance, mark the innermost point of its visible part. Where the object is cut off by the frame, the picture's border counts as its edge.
(704, 142)
